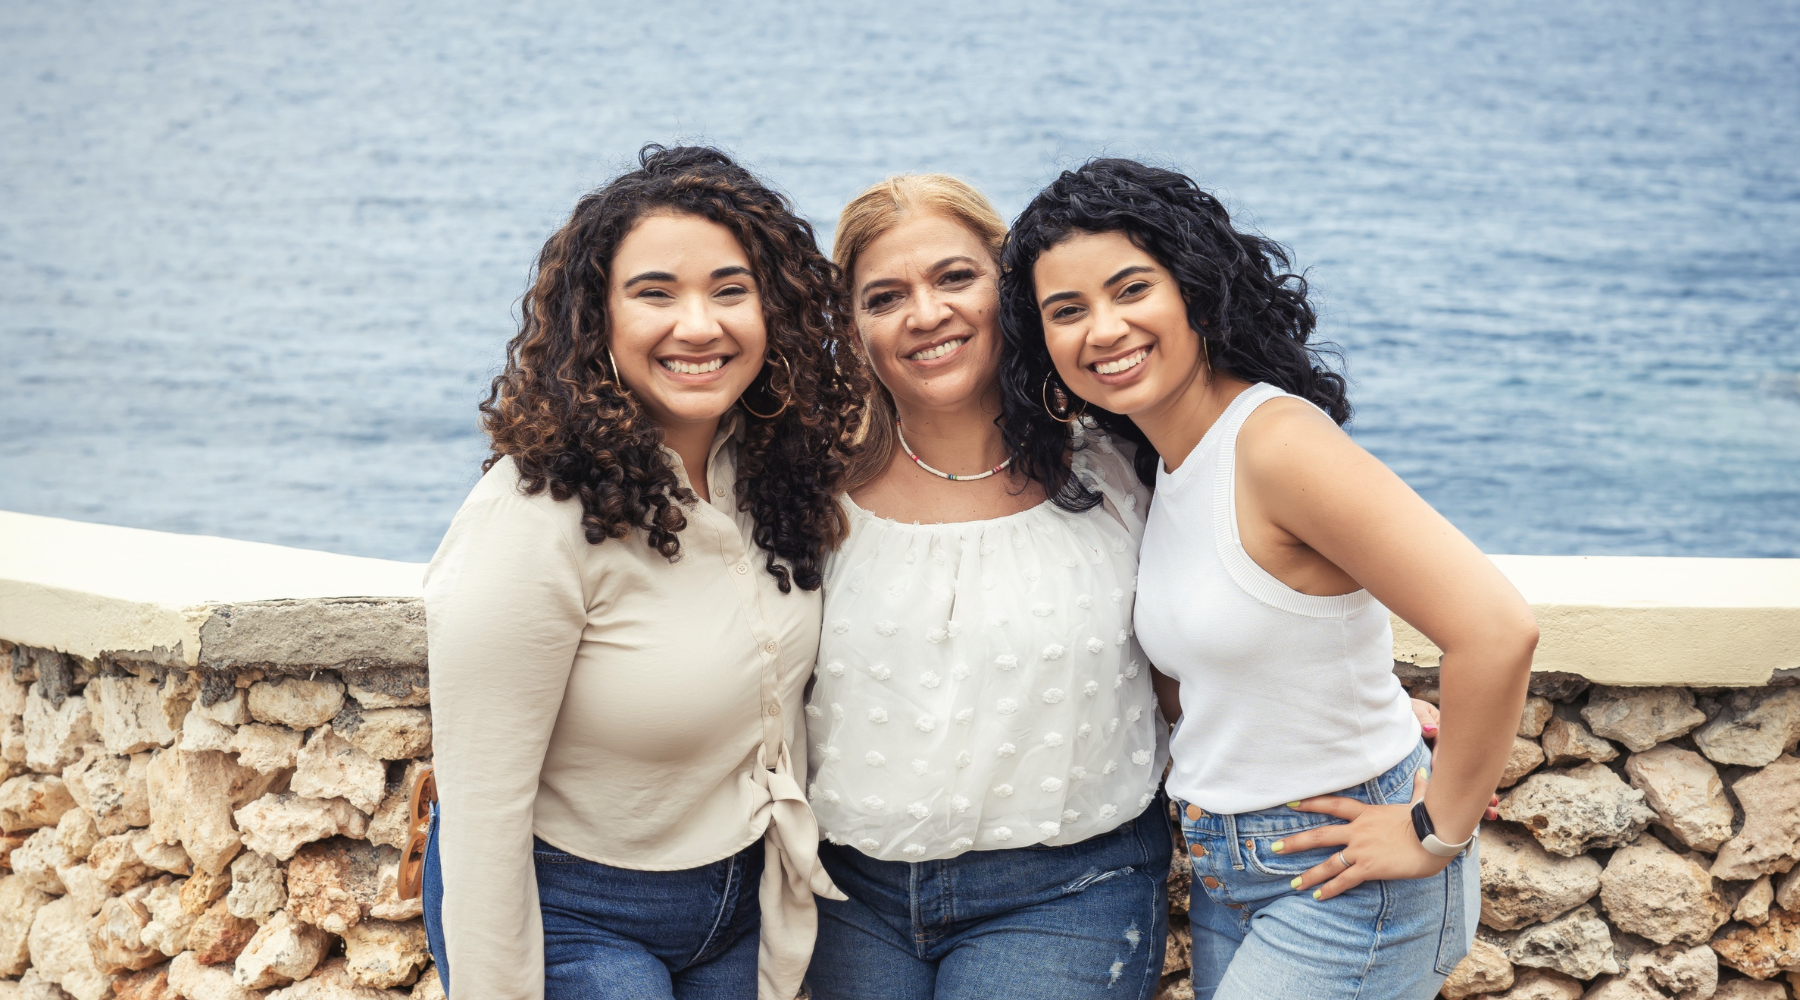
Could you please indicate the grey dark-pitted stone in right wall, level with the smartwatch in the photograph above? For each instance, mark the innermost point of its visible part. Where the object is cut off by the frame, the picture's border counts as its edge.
(1578, 810)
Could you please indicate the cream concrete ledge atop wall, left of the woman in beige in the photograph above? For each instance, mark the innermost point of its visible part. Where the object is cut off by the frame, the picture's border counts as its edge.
(195, 602)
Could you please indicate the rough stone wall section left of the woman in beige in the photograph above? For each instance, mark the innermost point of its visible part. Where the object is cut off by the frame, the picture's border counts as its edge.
(208, 834)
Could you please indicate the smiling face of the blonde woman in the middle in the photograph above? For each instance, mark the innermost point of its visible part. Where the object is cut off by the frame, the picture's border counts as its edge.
(928, 298)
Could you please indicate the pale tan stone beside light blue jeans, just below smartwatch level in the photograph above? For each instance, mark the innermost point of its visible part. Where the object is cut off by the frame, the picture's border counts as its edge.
(1522, 884)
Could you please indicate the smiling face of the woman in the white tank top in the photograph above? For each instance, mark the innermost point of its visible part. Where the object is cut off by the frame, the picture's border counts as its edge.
(1115, 325)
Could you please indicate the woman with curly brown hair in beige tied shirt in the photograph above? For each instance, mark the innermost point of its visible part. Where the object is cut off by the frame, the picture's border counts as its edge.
(625, 611)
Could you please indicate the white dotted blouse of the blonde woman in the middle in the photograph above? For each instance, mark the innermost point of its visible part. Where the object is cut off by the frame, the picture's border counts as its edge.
(980, 686)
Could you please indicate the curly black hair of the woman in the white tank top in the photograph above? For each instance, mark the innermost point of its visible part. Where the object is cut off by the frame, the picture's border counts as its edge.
(1243, 298)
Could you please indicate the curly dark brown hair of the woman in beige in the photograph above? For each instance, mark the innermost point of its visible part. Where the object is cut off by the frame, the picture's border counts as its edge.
(562, 416)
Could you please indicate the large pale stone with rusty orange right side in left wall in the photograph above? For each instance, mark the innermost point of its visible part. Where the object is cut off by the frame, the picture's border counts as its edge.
(192, 798)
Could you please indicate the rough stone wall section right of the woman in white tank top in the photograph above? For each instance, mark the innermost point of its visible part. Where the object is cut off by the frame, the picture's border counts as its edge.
(1648, 850)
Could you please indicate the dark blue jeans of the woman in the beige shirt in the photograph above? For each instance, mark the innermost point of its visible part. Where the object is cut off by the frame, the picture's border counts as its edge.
(622, 934)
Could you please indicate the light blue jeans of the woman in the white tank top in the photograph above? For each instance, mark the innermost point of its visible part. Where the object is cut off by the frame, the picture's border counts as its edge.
(1257, 938)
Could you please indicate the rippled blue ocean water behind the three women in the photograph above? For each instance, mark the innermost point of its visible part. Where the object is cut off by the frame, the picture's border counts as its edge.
(258, 263)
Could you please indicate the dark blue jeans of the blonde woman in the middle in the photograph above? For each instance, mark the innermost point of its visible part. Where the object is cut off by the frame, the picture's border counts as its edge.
(1032, 924)
